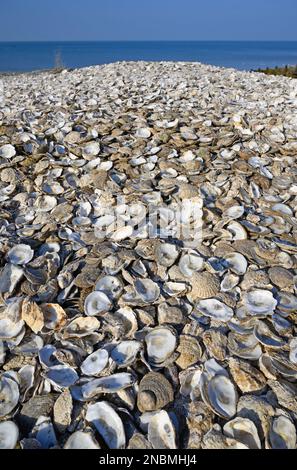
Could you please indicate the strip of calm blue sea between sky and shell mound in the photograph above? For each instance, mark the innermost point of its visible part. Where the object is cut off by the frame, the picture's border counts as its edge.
(241, 55)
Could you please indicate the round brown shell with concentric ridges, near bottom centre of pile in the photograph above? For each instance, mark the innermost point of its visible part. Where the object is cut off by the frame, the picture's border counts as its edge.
(155, 392)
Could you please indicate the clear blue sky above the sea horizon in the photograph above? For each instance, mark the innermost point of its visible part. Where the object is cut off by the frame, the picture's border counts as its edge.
(69, 20)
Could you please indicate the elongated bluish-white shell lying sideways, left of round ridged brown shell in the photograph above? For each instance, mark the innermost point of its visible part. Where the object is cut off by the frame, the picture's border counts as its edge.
(111, 384)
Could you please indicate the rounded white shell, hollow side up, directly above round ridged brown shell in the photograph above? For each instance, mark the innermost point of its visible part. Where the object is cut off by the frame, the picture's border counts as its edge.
(160, 344)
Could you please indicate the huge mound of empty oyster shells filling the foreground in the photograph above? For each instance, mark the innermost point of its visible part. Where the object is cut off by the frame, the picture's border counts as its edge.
(128, 341)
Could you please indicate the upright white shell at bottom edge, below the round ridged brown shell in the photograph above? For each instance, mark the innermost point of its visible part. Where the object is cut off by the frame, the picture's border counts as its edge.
(161, 432)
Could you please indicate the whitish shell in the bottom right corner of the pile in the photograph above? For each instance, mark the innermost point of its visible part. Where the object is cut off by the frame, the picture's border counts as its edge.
(282, 433)
